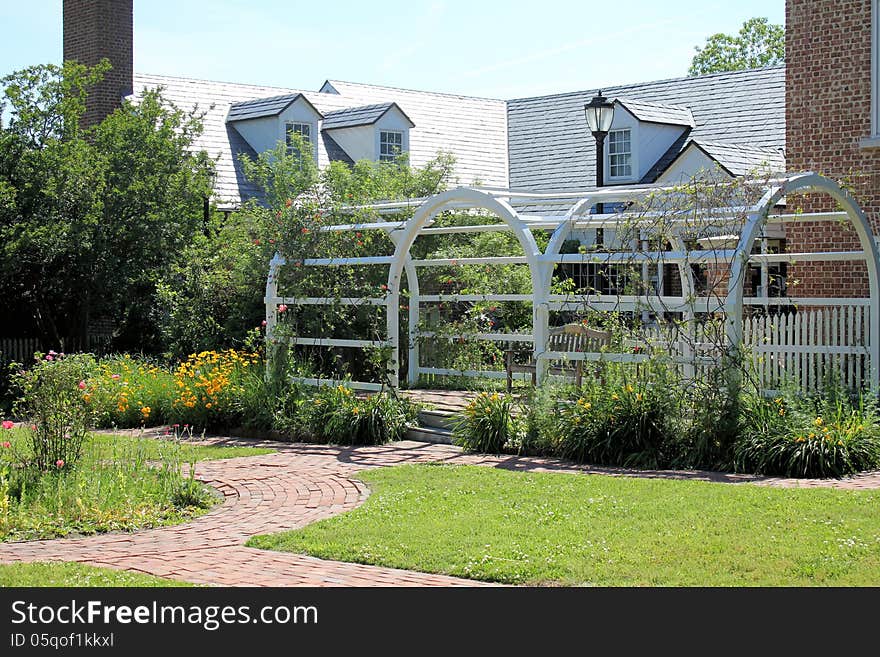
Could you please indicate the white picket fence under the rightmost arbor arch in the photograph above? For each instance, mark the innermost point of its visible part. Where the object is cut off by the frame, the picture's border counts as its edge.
(808, 346)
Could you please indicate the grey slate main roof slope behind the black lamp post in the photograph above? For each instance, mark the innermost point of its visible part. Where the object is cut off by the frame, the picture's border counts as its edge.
(551, 149)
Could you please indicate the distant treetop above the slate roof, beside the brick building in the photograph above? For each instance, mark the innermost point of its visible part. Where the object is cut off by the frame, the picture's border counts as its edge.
(757, 44)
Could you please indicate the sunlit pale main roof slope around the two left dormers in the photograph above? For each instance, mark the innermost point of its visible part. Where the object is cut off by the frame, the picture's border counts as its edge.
(473, 129)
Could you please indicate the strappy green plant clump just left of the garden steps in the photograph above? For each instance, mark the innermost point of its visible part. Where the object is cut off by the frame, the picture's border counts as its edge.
(337, 415)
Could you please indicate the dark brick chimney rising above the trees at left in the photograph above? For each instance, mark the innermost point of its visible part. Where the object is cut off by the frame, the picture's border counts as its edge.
(93, 30)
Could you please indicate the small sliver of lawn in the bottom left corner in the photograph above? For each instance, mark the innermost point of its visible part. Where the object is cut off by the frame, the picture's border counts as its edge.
(76, 574)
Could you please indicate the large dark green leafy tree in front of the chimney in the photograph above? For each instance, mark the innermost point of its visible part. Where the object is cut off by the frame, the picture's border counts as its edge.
(90, 216)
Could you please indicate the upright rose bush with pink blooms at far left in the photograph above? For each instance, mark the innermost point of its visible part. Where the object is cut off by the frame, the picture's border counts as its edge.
(52, 404)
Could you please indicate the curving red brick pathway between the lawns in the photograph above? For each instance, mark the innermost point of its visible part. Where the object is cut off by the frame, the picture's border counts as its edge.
(291, 488)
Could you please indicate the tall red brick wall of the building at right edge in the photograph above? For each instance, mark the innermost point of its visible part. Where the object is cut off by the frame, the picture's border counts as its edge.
(828, 111)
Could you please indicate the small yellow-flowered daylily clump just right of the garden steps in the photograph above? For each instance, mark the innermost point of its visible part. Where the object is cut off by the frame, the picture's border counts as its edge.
(488, 425)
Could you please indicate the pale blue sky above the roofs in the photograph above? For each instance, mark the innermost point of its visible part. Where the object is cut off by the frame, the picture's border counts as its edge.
(498, 49)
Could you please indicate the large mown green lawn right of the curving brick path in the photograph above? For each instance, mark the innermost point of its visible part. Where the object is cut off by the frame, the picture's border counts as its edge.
(535, 528)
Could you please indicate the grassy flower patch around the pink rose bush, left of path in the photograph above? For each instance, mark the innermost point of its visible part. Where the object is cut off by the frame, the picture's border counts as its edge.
(121, 483)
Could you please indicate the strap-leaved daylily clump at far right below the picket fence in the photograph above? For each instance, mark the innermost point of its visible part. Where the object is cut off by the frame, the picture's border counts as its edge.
(809, 436)
